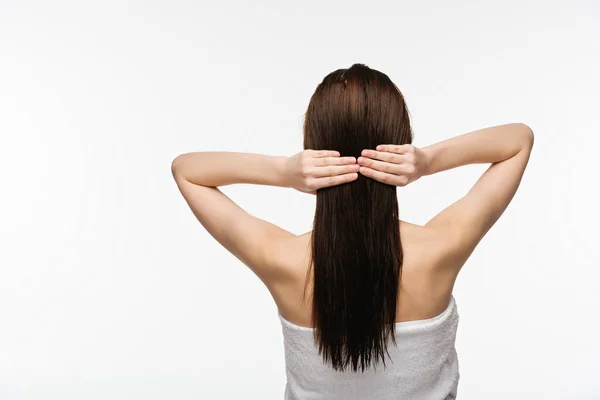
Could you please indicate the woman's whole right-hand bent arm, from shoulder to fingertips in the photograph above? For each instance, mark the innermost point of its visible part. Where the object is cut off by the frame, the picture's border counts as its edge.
(464, 223)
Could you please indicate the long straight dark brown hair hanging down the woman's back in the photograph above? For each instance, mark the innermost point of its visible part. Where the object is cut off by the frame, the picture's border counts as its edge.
(356, 249)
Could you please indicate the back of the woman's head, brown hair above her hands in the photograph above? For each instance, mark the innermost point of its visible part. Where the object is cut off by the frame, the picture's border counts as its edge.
(354, 109)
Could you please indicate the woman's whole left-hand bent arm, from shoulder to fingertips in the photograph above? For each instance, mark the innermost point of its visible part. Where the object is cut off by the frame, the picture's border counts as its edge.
(255, 242)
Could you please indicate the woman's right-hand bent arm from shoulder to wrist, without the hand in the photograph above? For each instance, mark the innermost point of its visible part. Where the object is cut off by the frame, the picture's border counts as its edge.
(463, 224)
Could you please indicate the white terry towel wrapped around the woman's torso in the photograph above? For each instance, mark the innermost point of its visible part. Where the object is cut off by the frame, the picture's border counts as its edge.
(423, 365)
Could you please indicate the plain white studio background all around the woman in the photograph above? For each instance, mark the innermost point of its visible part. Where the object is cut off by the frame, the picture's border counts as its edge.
(110, 289)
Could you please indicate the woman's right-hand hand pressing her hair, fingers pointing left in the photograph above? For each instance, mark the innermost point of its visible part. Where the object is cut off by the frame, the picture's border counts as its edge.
(396, 165)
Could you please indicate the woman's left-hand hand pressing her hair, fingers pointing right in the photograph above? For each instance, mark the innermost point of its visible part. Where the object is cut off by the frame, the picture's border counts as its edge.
(310, 170)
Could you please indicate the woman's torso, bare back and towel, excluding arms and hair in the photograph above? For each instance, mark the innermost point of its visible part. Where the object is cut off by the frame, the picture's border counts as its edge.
(422, 365)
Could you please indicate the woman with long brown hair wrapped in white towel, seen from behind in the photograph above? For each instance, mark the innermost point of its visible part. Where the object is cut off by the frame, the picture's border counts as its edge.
(365, 299)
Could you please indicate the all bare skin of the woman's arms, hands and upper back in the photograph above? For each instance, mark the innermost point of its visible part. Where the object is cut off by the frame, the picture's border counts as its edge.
(433, 253)
